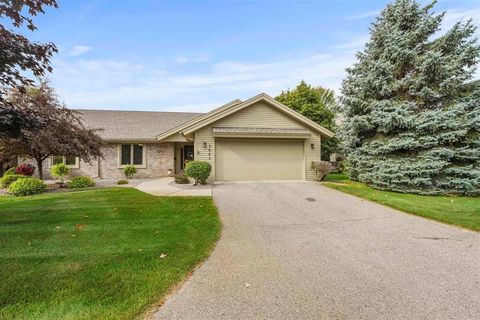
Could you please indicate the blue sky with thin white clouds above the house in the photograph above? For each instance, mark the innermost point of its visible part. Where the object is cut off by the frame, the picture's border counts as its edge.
(182, 55)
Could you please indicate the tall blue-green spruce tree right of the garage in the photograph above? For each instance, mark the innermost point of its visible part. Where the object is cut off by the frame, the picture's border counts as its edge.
(411, 109)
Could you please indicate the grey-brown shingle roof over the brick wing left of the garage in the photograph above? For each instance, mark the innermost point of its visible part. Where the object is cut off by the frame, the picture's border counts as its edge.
(133, 125)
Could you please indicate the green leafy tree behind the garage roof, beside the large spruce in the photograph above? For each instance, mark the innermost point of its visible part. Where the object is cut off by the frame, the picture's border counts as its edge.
(316, 103)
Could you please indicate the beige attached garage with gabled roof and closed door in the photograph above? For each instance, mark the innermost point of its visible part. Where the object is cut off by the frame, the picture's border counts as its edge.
(253, 140)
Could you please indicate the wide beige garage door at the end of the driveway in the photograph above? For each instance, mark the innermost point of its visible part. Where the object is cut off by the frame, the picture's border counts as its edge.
(253, 159)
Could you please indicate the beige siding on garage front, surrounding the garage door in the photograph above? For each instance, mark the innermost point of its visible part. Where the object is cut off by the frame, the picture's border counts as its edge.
(259, 115)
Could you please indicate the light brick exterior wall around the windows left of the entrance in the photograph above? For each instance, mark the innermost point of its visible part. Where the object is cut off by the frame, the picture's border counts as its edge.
(159, 158)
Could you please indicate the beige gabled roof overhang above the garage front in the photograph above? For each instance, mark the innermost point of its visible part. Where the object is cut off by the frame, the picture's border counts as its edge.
(237, 105)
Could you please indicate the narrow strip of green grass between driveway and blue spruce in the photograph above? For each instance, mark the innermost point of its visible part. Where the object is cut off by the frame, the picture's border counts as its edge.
(456, 210)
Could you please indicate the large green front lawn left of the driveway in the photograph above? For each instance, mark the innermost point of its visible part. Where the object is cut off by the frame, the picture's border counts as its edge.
(95, 254)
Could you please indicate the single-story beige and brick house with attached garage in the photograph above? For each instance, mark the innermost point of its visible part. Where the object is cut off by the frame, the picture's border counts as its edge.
(256, 139)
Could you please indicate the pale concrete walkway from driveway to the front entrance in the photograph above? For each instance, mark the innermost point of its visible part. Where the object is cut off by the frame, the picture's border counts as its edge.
(168, 187)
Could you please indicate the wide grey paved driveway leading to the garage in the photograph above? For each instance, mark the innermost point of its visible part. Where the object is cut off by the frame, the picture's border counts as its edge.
(303, 251)
